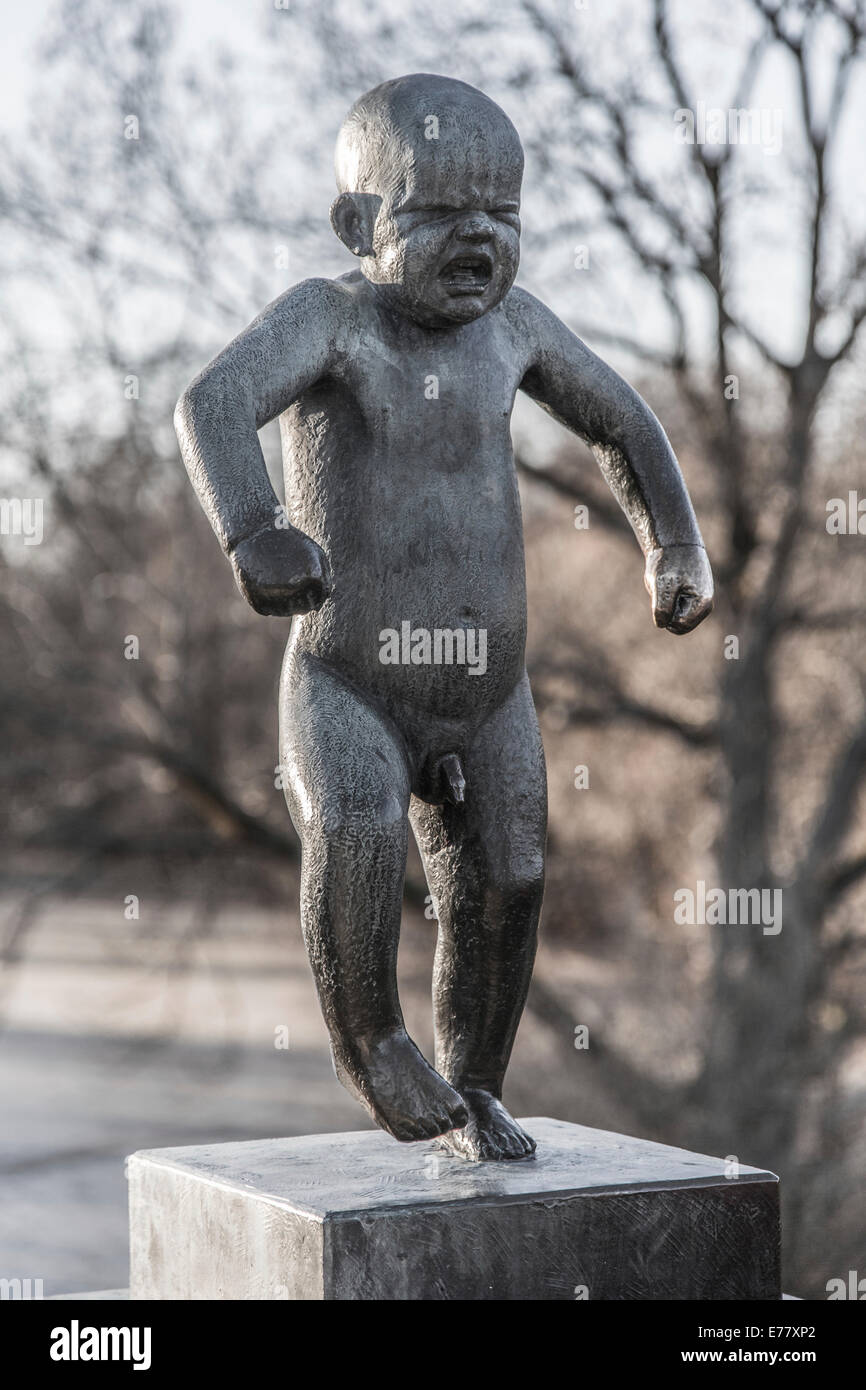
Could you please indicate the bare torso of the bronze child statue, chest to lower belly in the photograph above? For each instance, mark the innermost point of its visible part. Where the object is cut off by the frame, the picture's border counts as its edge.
(400, 465)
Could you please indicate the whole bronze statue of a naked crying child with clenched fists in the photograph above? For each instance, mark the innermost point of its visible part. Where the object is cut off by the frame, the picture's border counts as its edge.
(400, 551)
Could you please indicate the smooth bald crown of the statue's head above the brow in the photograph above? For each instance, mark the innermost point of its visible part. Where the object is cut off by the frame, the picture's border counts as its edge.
(419, 120)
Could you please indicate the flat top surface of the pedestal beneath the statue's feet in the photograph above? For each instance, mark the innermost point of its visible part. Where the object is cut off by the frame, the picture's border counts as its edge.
(336, 1175)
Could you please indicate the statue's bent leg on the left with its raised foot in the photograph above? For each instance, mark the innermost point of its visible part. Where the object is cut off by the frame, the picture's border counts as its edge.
(347, 782)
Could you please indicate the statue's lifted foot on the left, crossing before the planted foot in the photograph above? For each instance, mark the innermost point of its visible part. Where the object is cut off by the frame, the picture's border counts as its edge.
(404, 1093)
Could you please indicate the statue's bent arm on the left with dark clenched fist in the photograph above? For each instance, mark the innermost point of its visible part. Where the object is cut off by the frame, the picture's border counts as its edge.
(293, 344)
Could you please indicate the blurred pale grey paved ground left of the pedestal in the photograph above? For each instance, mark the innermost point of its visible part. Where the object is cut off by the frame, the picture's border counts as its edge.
(74, 1107)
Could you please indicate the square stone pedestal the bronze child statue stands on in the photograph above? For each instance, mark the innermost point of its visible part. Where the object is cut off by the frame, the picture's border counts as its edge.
(594, 1216)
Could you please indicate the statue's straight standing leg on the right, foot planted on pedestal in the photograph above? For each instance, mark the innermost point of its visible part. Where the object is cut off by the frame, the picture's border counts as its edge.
(484, 862)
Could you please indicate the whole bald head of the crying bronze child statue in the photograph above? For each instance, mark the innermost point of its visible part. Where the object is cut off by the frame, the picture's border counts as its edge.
(429, 173)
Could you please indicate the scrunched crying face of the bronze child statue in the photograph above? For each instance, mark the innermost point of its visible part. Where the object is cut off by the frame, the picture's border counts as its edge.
(447, 241)
